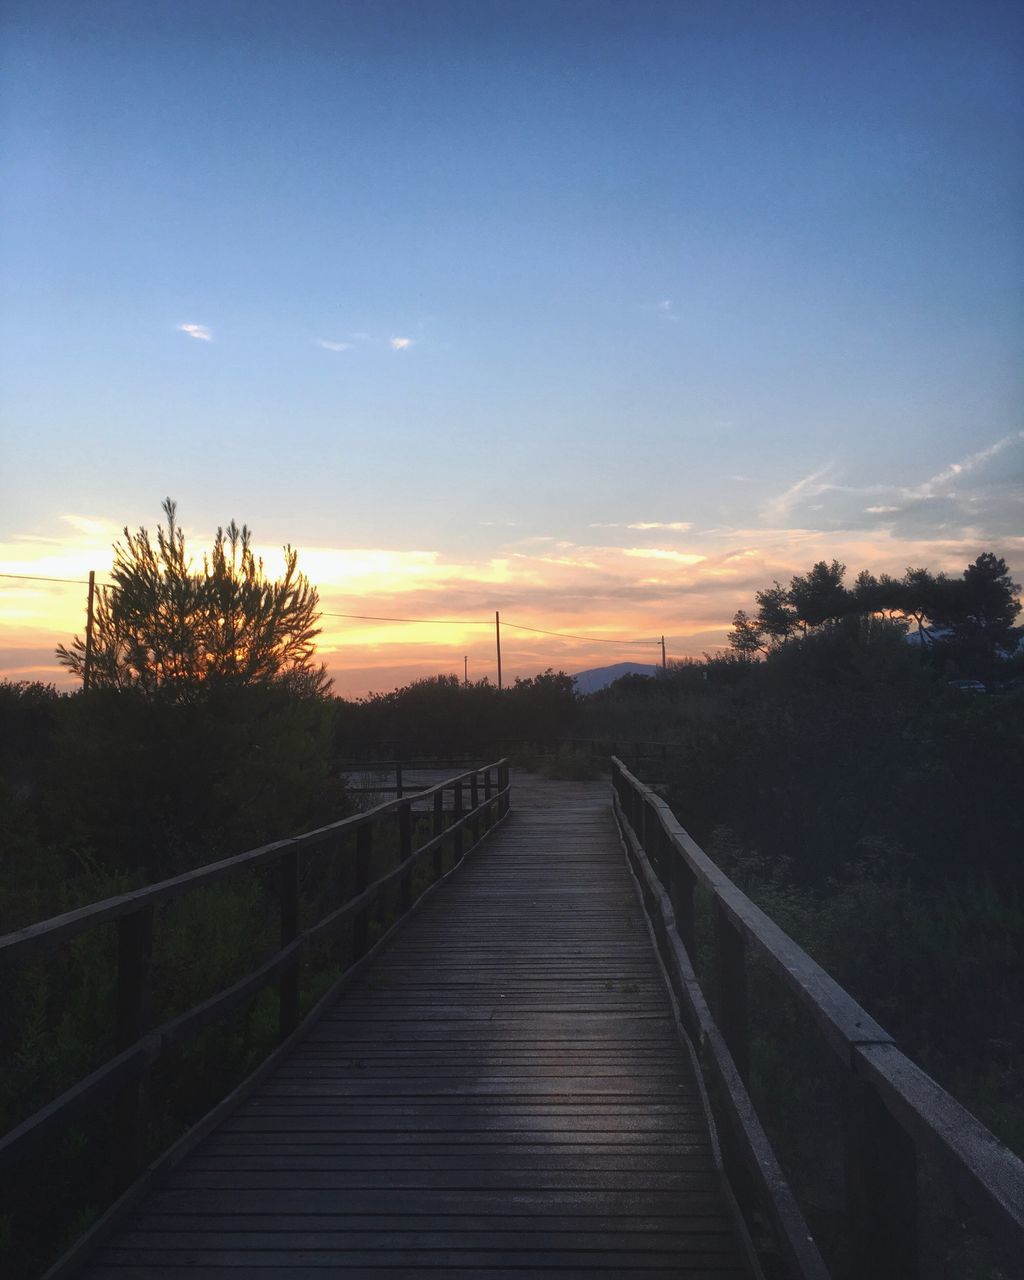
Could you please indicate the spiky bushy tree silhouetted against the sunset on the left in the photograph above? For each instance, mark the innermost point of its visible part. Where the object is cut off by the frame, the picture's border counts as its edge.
(168, 628)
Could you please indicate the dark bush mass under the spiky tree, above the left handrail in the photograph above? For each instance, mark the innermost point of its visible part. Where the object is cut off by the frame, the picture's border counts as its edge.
(112, 784)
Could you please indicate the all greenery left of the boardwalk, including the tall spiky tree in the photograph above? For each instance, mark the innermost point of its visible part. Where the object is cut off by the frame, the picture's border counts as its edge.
(205, 730)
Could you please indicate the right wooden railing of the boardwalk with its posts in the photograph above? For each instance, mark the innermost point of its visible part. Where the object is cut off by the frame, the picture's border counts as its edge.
(893, 1112)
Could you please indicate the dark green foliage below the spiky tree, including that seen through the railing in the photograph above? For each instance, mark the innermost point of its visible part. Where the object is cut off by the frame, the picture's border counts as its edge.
(102, 793)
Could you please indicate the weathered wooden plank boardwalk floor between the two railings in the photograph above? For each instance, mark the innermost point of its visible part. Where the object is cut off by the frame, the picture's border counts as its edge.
(502, 1095)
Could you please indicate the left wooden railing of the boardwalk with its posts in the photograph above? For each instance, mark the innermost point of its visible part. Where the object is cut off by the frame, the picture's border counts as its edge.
(481, 799)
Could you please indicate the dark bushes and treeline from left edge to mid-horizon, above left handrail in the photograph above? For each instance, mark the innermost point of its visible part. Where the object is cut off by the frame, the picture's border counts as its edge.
(127, 784)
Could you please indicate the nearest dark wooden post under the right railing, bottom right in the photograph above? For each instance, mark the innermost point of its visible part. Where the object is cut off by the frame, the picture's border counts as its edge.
(881, 1171)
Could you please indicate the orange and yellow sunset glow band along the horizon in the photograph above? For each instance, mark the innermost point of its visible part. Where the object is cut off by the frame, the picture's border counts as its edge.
(624, 598)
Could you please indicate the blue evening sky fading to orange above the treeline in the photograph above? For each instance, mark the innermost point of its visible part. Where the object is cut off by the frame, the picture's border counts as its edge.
(602, 316)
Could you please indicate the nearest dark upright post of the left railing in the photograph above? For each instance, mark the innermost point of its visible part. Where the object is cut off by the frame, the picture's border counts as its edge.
(135, 953)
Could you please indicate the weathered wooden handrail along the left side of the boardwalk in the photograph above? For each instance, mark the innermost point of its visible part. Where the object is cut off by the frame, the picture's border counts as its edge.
(135, 1059)
